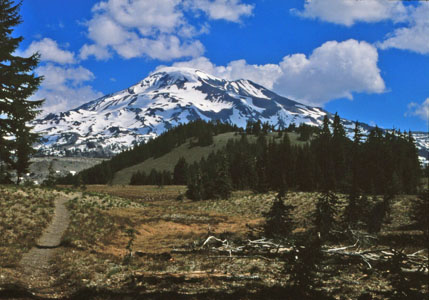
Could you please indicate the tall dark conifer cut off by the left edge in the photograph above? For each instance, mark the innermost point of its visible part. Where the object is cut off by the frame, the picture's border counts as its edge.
(17, 85)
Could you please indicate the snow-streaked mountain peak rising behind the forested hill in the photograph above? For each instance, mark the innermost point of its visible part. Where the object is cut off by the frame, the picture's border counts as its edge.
(164, 99)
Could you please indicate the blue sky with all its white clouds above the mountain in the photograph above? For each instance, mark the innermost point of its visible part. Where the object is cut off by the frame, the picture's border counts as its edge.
(367, 60)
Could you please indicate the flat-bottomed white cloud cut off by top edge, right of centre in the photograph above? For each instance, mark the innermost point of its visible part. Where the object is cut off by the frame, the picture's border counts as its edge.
(348, 12)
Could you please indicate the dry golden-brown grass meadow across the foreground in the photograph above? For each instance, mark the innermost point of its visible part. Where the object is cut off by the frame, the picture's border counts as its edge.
(143, 241)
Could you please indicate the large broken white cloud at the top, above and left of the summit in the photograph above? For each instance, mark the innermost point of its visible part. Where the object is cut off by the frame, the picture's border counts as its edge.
(155, 29)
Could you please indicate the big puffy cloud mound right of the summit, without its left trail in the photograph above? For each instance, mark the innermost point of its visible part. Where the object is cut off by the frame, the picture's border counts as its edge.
(334, 70)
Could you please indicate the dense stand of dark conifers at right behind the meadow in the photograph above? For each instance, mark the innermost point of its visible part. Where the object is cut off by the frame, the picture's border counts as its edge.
(379, 163)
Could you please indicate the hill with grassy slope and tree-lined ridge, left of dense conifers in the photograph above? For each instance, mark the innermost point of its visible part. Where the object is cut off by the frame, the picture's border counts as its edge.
(192, 141)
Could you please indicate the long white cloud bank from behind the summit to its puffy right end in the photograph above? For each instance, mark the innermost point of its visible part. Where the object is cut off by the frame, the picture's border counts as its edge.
(333, 70)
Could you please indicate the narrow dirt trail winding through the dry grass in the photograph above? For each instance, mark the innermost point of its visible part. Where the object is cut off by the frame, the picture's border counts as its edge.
(36, 264)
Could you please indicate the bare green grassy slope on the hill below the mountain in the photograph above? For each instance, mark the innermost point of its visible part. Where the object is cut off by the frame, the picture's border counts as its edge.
(191, 154)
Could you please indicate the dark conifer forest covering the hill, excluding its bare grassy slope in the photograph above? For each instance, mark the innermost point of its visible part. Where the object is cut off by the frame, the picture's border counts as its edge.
(381, 162)
